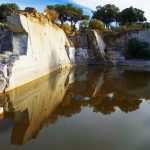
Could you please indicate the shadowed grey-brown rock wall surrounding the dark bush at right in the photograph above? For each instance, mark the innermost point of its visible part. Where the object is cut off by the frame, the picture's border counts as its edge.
(117, 46)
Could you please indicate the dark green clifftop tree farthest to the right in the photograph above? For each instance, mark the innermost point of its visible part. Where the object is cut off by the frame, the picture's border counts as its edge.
(131, 15)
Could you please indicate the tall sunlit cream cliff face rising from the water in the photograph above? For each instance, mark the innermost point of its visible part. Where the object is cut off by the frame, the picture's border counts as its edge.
(41, 48)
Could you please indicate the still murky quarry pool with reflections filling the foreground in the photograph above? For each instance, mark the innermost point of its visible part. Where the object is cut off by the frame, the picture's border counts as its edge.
(88, 108)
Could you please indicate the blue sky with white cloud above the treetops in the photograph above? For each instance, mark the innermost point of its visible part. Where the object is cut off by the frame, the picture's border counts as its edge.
(87, 5)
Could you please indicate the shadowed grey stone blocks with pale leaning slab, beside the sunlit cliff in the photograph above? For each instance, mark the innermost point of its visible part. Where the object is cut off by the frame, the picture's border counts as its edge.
(89, 48)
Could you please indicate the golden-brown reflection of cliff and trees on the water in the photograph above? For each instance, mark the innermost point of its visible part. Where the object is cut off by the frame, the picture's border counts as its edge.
(63, 93)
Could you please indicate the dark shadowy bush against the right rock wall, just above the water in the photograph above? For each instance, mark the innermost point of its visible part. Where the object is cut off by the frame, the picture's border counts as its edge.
(138, 49)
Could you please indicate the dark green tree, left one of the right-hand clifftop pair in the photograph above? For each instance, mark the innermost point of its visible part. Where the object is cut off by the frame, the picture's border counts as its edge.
(106, 14)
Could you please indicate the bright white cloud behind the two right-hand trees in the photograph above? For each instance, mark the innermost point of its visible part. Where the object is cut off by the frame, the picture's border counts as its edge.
(141, 4)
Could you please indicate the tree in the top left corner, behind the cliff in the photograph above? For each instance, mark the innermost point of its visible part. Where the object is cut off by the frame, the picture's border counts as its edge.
(7, 9)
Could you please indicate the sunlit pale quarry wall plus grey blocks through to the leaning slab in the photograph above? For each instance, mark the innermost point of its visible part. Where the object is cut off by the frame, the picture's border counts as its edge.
(34, 47)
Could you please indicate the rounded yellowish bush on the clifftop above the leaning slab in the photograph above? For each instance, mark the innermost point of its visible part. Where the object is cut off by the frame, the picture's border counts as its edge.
(96, 24)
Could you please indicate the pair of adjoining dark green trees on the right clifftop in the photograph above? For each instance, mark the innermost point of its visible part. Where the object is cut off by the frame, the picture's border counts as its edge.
(110, 13)
